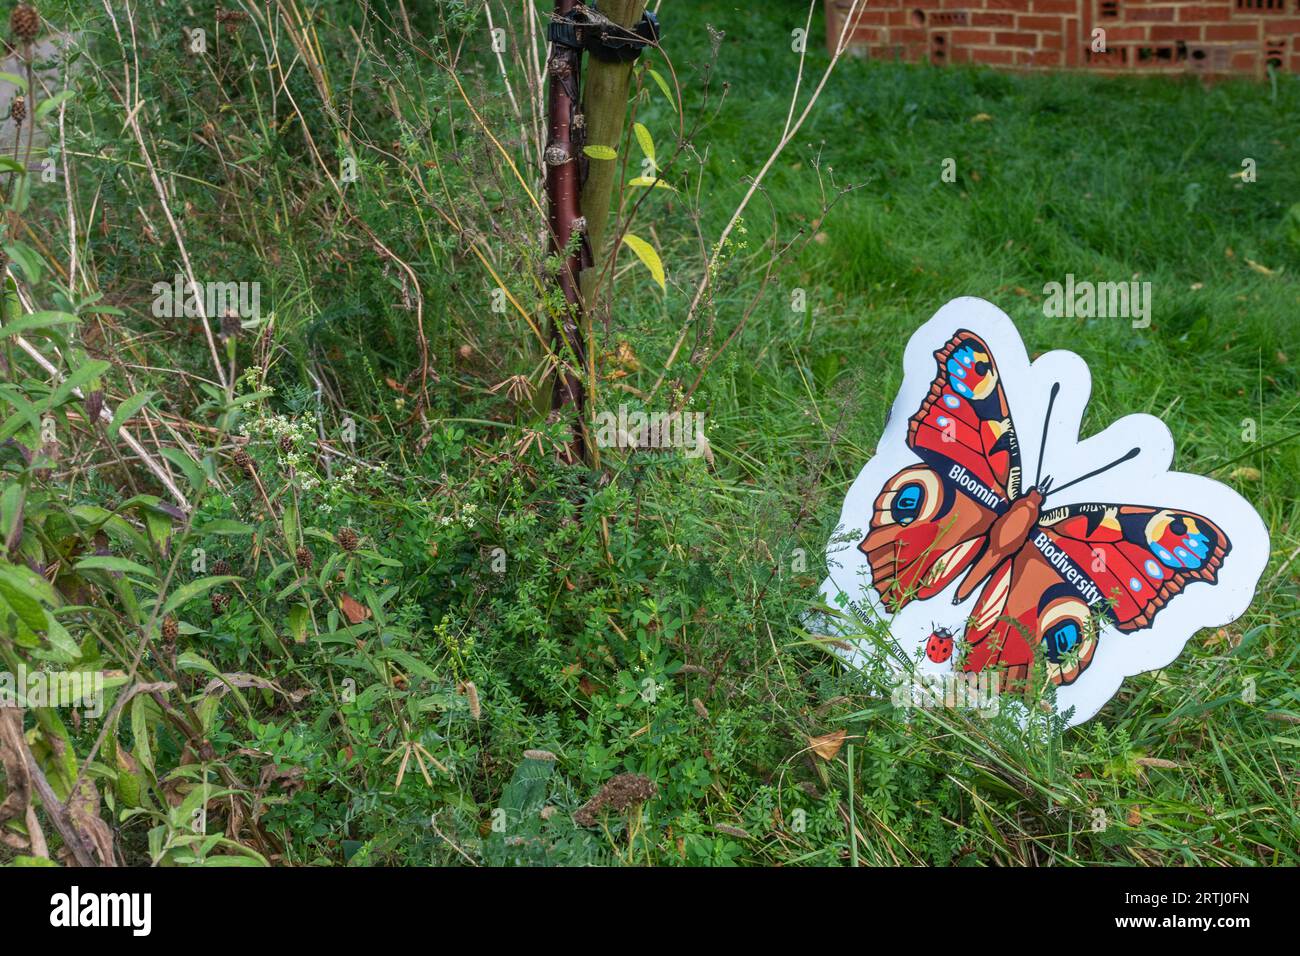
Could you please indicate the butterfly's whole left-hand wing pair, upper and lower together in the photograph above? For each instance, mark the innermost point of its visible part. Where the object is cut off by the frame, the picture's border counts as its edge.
(930, 520)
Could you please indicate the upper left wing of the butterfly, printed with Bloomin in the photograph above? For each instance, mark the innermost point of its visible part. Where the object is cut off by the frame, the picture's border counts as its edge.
(965, 419)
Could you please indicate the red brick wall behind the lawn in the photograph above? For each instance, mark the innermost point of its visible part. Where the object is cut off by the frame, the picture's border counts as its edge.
(1208, 37)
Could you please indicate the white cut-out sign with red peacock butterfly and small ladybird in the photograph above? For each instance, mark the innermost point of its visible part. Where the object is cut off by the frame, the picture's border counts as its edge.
(993, 539)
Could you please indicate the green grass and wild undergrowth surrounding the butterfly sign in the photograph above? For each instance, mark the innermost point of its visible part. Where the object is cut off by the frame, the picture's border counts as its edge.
(651, 618)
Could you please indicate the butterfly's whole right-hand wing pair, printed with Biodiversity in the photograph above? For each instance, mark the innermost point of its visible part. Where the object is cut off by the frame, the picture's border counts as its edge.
(1085, 568)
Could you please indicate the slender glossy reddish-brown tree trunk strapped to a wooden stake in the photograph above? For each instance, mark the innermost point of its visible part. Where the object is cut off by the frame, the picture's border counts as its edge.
(565, 163)
